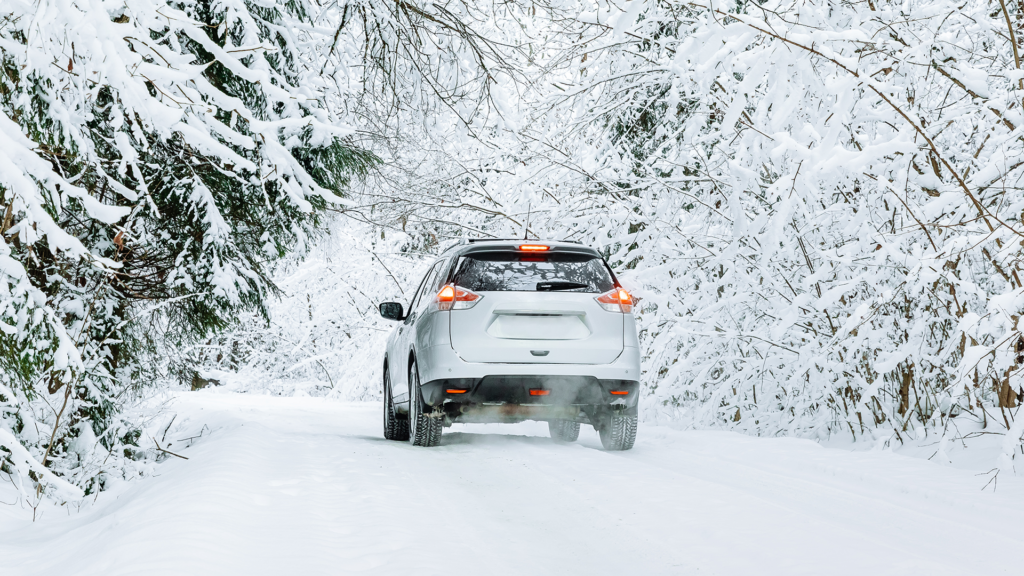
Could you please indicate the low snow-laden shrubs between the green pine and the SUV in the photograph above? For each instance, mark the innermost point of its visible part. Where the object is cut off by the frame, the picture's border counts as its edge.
(324, 336)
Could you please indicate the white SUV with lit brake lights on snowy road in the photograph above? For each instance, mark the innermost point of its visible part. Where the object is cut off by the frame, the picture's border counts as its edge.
(513, 331)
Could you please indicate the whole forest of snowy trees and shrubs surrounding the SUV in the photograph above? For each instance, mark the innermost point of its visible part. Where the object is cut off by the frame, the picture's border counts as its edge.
(820, 203)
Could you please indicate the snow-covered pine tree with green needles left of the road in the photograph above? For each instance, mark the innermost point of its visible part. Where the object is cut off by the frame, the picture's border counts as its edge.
(155, 159)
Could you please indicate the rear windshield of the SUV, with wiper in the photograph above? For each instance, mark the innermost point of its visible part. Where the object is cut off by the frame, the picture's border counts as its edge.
(511, 272)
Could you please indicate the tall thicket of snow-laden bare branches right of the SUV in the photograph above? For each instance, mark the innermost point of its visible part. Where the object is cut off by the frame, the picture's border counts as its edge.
(820, 202)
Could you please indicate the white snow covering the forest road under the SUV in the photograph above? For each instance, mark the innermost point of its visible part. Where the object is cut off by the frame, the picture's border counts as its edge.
(309, 486)
